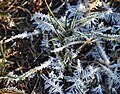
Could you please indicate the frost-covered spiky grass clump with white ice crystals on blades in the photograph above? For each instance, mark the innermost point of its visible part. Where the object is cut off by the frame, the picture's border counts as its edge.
(85, 46)
